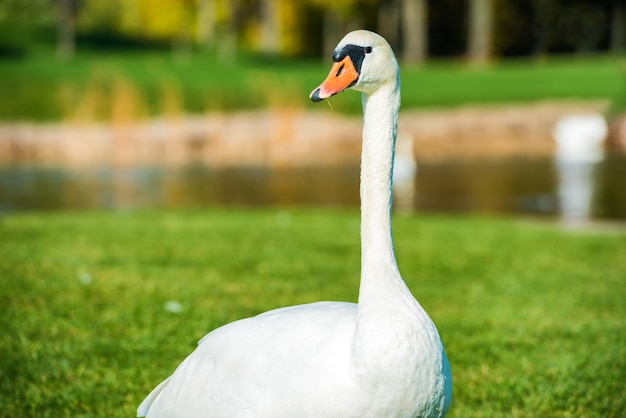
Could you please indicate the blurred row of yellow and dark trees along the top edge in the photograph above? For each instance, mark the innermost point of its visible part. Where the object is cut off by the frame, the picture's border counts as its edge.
(414, 28)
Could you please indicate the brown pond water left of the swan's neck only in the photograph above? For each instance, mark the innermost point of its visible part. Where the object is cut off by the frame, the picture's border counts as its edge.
(28, 188)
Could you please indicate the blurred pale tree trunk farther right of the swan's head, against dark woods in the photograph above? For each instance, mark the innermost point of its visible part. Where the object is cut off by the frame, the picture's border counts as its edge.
(480, 31)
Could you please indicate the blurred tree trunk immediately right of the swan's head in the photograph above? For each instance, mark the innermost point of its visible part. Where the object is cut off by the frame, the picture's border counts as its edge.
(414, 30)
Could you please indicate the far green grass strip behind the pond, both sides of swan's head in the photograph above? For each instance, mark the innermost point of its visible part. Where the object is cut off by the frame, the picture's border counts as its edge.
(40, 87)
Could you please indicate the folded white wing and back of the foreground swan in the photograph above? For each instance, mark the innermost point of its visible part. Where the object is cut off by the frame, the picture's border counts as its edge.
(299, 353)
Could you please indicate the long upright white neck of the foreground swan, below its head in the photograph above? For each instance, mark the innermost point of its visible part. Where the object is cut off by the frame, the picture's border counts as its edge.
(379, 271)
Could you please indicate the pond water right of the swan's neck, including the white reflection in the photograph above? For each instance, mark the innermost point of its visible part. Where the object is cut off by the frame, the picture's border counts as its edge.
(575, 191)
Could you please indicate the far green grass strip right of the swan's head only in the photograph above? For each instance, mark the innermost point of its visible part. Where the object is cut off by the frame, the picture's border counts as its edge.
(516, 81)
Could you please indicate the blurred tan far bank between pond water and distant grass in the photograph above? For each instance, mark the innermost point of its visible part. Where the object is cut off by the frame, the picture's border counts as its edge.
(292, 137)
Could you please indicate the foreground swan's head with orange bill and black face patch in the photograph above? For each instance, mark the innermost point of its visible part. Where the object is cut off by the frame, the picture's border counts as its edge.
(363, 61)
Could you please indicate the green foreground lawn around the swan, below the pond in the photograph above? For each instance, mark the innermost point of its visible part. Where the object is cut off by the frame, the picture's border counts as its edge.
(532, 316)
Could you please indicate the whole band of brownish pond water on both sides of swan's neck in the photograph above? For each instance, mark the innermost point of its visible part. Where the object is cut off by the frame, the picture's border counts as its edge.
(523, 186)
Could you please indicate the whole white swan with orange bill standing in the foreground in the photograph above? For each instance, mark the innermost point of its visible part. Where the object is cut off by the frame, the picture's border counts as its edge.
(379, 358)
